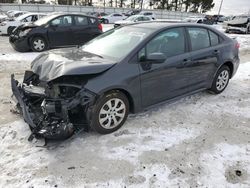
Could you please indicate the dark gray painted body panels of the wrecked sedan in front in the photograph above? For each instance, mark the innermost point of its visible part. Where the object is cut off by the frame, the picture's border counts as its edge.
(175, 77)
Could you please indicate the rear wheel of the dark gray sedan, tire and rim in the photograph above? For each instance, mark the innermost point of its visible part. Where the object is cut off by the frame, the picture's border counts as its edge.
(216, 87)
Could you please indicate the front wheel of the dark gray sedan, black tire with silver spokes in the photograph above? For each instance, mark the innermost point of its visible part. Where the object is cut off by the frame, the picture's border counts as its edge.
(96, 116)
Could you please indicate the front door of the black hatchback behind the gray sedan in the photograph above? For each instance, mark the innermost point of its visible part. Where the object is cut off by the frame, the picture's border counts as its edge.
(60, 31)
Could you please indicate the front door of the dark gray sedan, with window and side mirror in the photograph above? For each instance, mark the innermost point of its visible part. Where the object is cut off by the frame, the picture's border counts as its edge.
(162, 71)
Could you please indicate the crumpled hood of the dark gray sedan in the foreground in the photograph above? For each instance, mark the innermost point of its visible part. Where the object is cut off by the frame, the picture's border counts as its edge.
(66, 62)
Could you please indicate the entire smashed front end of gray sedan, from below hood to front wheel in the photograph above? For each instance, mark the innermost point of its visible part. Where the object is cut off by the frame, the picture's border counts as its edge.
(52, 110)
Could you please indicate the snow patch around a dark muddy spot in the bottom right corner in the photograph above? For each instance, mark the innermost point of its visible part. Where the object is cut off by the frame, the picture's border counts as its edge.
(223, 158)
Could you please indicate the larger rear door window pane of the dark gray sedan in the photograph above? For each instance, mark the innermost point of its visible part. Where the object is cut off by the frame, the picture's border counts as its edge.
(199, 38)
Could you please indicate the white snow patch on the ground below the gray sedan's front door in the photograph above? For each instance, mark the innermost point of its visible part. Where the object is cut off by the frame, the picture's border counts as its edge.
(157, 139)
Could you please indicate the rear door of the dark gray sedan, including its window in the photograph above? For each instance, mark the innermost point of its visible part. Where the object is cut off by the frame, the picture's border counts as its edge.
(205, 54)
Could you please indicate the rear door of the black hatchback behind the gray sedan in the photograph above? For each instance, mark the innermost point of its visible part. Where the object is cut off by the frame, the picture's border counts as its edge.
(83, 29)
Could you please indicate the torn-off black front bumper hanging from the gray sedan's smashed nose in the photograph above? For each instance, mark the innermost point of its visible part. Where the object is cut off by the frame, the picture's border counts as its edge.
(47, 118)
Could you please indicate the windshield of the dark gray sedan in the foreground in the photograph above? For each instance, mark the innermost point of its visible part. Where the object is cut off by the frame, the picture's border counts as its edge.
(117, 43)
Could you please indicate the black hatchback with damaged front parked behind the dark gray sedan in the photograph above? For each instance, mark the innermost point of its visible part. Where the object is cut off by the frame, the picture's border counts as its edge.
(55, 30)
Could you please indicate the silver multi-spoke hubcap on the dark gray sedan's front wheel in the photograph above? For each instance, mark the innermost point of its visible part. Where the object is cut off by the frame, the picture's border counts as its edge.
(112, 113)
